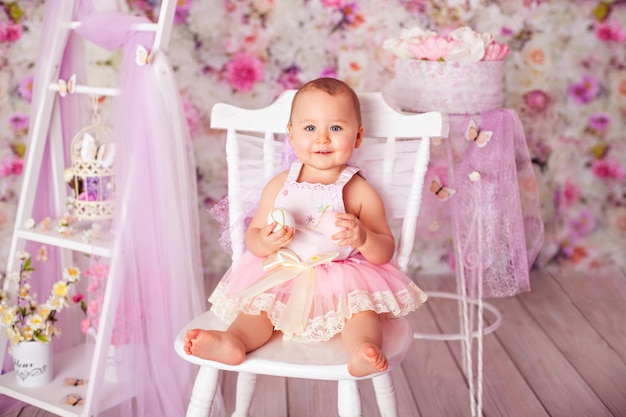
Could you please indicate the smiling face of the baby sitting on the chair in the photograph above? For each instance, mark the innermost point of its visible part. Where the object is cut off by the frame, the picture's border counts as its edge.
(324, 129)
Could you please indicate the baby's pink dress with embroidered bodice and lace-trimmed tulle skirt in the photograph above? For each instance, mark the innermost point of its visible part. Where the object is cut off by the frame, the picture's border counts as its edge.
(309, 289)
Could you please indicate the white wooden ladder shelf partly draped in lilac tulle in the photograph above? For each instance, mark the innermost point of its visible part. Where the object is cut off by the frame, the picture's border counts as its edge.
(46, 127)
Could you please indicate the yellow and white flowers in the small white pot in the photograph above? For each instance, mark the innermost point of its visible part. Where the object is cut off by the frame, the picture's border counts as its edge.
(24, 319)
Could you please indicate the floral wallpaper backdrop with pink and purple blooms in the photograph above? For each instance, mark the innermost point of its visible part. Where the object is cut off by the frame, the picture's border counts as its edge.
(565, 77)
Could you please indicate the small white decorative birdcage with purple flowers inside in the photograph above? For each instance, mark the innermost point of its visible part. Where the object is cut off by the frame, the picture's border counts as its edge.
(92, 175)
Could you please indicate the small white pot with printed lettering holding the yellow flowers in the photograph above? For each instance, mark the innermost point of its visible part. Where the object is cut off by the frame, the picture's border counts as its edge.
(32, 362)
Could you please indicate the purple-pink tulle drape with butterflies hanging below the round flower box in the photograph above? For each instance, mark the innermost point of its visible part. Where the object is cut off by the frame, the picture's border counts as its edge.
(493, 217)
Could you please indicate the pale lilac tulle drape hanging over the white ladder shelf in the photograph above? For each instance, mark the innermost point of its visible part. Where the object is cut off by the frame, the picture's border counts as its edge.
(156, 255)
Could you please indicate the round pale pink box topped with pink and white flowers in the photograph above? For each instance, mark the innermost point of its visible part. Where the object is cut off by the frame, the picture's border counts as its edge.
(459, 72)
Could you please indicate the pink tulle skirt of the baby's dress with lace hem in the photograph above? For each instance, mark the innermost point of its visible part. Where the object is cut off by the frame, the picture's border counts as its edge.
(339, 289)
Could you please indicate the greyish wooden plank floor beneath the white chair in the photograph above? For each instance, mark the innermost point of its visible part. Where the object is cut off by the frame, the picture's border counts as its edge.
(560, 351)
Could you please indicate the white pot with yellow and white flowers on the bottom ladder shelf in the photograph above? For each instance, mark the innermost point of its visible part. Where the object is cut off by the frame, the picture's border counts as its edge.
(29, 325)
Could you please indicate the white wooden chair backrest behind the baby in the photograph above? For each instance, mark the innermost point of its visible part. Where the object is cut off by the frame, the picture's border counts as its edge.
(394, 157)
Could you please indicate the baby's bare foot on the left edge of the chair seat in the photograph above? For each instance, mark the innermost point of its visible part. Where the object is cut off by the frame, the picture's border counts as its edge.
(215, 345)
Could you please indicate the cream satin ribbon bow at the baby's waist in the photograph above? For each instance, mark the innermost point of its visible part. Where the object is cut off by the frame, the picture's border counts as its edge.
(285, 265)
